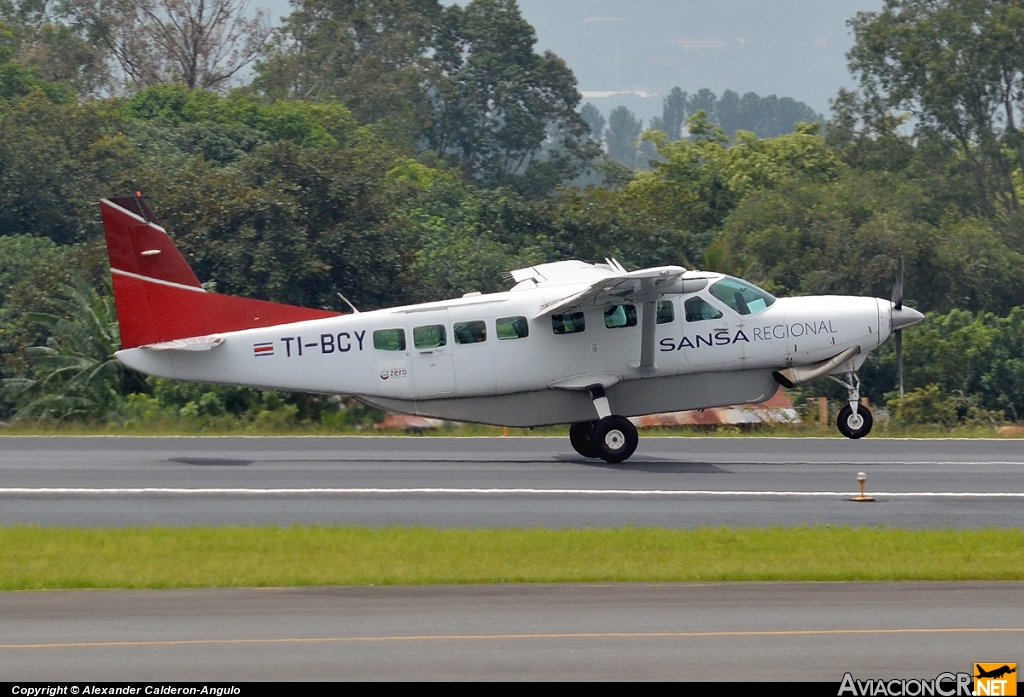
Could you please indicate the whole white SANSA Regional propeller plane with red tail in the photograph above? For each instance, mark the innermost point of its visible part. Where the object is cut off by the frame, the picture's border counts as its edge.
(578, 343)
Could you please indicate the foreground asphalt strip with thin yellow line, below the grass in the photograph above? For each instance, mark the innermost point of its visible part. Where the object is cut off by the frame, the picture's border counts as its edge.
(719, 633)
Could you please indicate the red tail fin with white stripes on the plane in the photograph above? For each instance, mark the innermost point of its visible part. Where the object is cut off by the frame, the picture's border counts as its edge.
(159, 297)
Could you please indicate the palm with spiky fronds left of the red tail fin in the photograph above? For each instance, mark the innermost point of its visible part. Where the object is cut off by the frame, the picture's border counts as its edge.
(76, 375)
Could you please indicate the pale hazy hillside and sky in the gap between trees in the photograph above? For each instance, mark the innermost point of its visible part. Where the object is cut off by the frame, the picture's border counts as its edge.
(792, 49)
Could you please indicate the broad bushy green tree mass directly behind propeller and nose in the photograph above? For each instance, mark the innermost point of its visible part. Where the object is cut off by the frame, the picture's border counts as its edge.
(844, 237)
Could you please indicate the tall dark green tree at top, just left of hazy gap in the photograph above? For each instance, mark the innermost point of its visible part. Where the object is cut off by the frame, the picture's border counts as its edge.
(505, 114)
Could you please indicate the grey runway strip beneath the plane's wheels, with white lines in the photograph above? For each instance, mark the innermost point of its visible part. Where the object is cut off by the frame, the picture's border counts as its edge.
(497, 483)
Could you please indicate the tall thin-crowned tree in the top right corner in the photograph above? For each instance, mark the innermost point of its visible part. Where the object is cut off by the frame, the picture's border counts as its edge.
(958, 67)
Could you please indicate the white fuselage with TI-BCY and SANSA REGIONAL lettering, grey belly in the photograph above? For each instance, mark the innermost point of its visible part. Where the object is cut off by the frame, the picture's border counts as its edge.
(465, 359)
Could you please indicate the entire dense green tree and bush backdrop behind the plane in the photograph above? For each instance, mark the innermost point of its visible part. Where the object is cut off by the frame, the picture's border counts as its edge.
(400, 151)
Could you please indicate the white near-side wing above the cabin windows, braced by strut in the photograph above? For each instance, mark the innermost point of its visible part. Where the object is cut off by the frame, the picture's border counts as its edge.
(634, 287)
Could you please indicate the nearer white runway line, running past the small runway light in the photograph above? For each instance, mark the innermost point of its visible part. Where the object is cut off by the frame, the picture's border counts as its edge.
(112, 492)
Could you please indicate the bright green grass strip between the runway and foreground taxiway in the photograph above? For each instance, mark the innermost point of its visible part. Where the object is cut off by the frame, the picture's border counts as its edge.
(161, 557)
